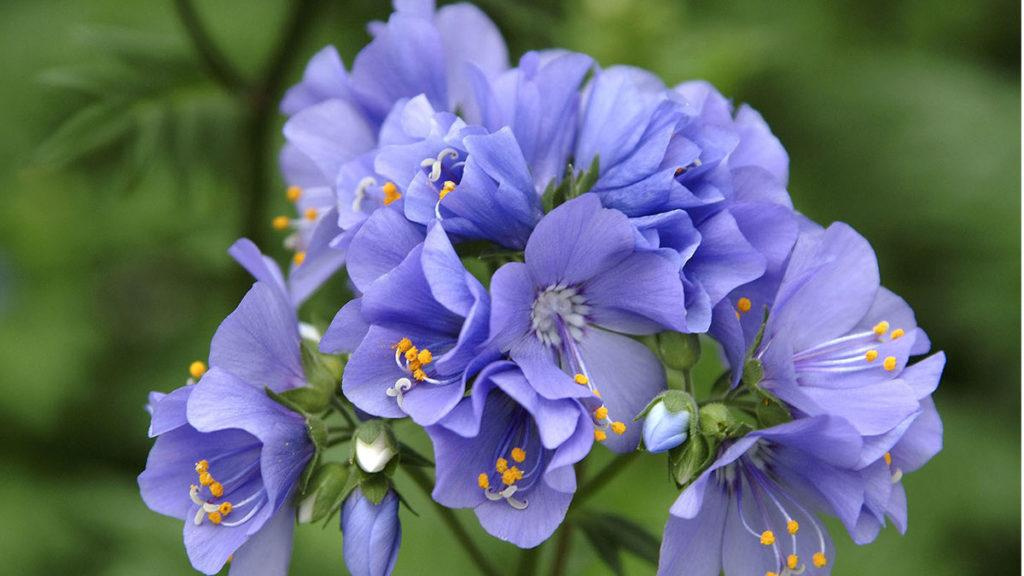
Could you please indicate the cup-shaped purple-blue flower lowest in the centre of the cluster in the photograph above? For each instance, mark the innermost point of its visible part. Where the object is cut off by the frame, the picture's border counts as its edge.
(508, 452)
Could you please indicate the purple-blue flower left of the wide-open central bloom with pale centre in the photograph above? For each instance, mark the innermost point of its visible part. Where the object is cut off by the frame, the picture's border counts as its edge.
(419, 330)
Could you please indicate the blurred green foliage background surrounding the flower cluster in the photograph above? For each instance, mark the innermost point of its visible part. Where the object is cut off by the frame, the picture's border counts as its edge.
(126, 174)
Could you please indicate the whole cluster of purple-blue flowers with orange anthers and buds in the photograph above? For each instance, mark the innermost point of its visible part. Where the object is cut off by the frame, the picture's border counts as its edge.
(533, 252)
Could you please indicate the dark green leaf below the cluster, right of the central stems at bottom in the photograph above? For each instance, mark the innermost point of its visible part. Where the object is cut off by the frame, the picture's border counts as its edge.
(612, 534)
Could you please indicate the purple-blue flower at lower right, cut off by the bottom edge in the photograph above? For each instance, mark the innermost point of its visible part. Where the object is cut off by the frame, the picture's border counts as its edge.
(756, 510)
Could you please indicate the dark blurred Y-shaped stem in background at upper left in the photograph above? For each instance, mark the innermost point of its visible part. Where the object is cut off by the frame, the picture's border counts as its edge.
(259, 100)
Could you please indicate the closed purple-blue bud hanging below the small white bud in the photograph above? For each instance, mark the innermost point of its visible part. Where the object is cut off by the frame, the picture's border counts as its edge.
(372, 534)
